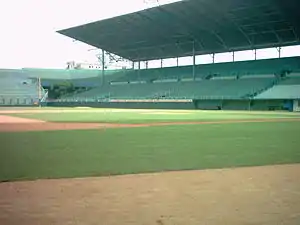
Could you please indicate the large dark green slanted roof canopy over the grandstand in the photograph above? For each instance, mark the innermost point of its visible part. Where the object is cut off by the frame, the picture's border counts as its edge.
(207, 26)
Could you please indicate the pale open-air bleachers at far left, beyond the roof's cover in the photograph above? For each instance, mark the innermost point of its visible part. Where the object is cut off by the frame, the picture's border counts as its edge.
(19, 87)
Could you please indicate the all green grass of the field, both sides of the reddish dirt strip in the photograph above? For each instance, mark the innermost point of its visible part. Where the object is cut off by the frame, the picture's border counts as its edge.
(79, 153)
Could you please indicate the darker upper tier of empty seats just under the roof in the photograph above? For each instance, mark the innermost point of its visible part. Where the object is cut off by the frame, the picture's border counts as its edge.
(243, 68)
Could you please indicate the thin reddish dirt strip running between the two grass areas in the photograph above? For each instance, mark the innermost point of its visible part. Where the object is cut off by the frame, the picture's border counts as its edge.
(16, 124)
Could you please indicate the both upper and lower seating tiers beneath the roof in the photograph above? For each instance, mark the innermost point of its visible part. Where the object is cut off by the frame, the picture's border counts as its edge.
(234, 80)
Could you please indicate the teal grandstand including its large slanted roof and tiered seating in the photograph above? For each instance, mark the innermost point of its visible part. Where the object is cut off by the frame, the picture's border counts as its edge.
(187, 29)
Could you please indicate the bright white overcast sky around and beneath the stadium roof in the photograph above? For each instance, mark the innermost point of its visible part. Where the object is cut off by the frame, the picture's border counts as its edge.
(29, 40)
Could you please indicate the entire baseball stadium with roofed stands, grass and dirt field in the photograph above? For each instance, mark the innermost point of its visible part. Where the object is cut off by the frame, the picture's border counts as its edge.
(204, 143)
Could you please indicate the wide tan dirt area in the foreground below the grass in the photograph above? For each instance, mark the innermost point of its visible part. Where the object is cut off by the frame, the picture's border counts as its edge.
(259, 195)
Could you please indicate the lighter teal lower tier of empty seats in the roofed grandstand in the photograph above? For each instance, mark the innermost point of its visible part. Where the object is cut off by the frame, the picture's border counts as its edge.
(206, 89)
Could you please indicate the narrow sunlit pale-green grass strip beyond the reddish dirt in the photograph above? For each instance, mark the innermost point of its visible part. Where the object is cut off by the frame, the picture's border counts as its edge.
(149, 116)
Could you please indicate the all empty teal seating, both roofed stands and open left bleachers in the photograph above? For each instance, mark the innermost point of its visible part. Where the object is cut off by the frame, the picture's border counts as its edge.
(236, 80)
